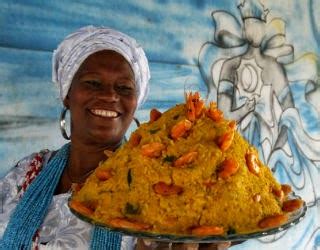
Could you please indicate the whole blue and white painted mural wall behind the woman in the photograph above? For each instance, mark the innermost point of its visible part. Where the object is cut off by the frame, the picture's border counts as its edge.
(259, 60)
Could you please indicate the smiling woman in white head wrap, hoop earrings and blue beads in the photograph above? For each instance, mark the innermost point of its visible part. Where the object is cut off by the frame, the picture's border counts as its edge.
(103, 77)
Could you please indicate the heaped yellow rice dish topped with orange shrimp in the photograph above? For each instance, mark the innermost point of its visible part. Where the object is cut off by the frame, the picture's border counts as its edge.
(185, 172)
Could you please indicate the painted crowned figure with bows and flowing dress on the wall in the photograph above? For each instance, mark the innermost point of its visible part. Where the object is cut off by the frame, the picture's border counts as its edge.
(266, 88)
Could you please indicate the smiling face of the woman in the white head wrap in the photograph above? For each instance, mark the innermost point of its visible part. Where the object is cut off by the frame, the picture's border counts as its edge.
(102, 99)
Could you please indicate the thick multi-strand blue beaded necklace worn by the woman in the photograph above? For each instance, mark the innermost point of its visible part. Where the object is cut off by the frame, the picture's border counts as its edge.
(33, 206)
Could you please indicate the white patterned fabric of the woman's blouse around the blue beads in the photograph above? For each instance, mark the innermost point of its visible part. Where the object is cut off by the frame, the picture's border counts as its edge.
(60, 228)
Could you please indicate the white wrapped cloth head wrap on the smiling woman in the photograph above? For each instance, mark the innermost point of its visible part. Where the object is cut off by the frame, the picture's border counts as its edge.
(76, 47)
